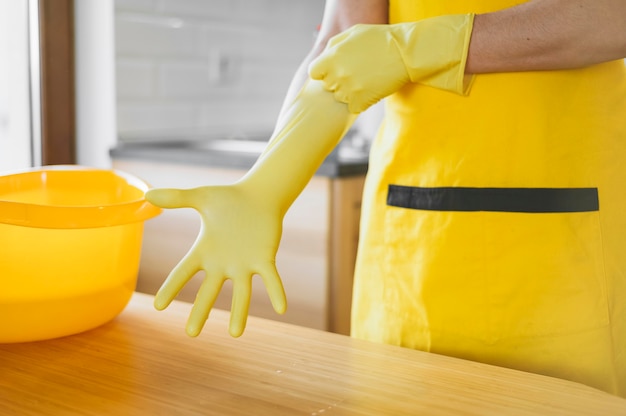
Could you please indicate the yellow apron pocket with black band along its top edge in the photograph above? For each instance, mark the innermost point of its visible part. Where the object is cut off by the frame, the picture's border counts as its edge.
(492, 263)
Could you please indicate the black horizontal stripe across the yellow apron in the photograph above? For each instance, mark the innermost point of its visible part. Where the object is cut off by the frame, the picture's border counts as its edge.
(540, 200)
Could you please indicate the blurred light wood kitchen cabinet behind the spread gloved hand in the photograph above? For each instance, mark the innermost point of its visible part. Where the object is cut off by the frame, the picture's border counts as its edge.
(316, 254)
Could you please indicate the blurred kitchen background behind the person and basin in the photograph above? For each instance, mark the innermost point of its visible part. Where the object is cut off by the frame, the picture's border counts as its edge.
(183, 93)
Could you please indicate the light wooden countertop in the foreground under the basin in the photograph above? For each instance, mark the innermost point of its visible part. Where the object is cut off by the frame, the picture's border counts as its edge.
(142, 363)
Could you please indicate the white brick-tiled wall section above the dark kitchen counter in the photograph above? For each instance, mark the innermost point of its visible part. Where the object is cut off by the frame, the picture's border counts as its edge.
(207, 66)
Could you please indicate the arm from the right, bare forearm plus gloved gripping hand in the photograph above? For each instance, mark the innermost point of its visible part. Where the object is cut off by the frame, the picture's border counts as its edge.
(368, 62)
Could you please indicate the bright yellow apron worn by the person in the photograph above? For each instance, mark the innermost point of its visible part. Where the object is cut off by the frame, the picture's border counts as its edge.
(494, 225)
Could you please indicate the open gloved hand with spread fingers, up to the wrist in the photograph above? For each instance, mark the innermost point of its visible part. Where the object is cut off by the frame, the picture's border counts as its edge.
(238, 238)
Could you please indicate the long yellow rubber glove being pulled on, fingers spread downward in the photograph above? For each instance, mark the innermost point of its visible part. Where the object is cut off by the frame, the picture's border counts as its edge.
(242, 223)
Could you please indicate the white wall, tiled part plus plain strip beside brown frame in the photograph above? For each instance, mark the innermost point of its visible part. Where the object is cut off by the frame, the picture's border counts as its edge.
(149, 69)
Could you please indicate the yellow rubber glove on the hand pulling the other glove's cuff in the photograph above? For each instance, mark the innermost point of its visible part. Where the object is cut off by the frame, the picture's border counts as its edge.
(366, 63)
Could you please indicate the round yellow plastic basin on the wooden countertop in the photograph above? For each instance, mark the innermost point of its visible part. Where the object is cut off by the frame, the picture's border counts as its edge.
(70, 243)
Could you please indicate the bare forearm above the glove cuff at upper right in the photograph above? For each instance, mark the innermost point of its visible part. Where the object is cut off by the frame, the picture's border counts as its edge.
(547, 35)
